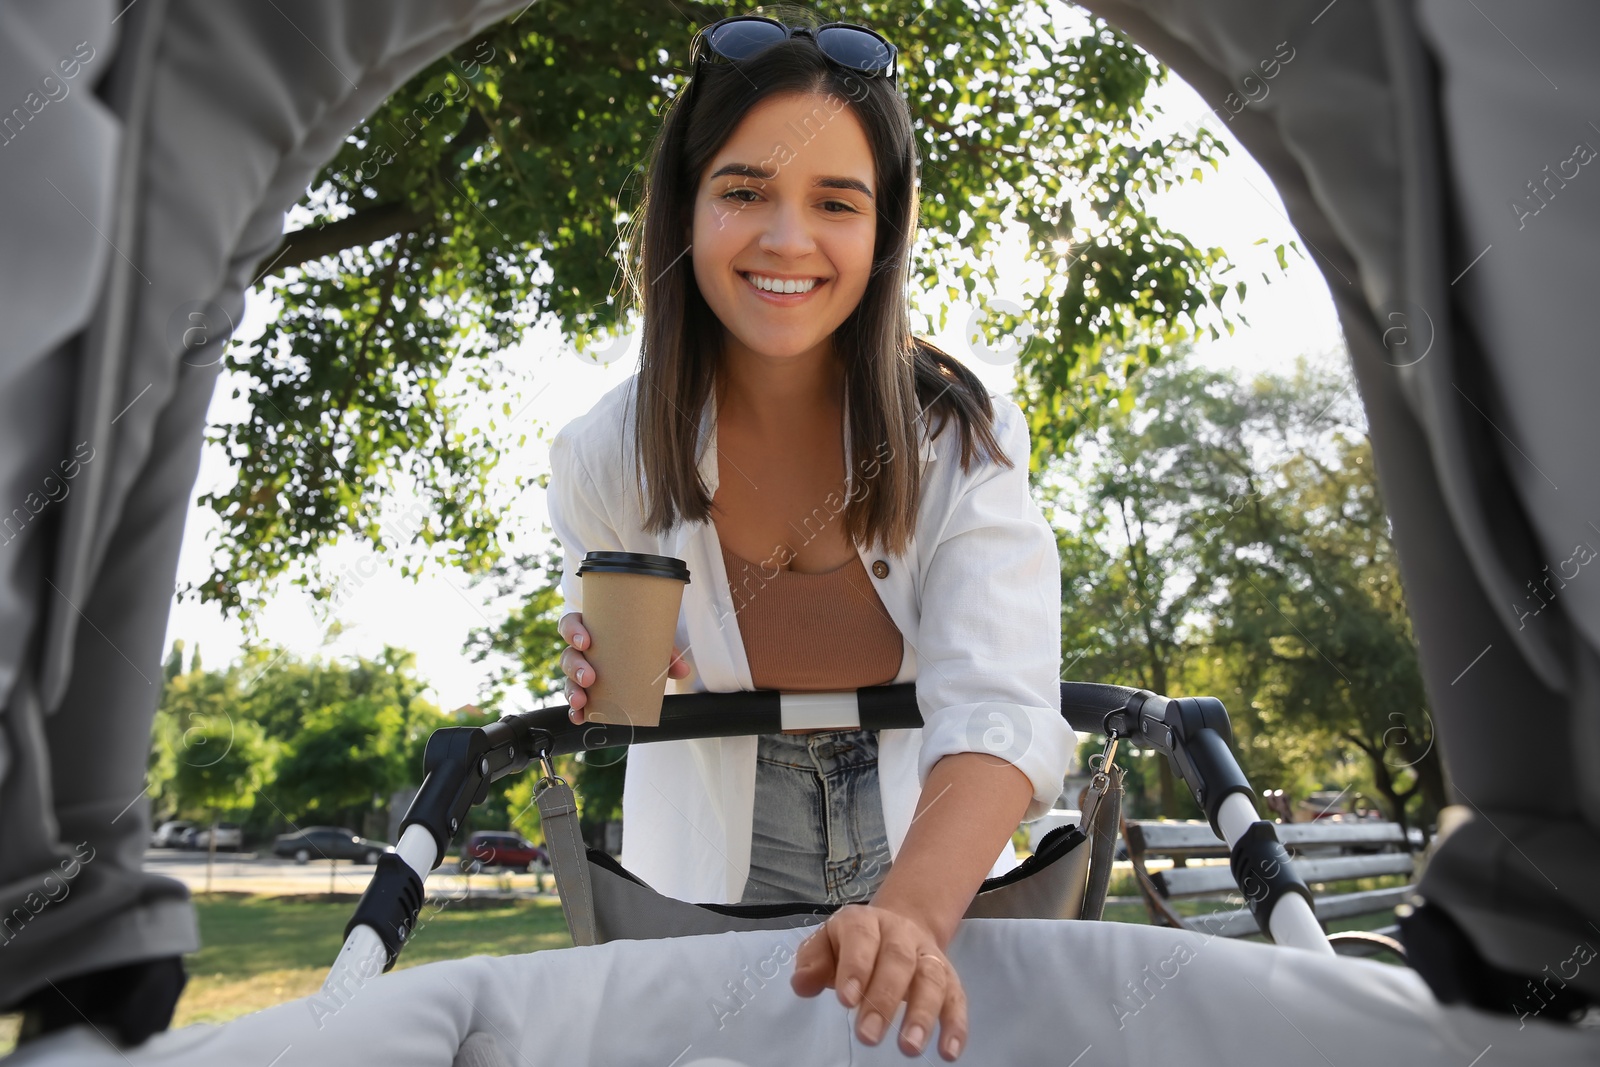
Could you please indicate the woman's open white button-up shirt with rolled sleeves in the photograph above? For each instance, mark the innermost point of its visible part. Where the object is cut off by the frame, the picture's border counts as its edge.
(977, 597)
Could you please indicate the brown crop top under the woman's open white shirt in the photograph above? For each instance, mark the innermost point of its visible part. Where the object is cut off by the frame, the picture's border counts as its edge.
(814, 633)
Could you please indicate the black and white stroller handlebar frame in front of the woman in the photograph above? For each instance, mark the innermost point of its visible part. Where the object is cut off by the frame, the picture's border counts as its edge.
(462, 762)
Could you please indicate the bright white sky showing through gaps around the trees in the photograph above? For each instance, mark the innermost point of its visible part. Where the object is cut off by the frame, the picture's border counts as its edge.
(1231, 209)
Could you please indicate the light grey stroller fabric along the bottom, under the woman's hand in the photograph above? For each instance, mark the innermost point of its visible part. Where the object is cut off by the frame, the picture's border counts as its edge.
(1042, 993)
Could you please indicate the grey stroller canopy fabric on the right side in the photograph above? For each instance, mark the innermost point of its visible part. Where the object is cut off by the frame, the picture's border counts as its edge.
(1436, 158)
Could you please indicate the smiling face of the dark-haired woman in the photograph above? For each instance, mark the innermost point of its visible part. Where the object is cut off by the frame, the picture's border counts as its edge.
(788, 202)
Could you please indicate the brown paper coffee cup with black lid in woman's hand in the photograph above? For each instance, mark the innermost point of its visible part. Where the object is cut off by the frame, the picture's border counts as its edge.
(631, 612)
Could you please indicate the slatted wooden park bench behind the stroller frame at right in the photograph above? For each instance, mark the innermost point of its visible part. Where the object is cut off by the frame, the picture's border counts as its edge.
(1324, 855)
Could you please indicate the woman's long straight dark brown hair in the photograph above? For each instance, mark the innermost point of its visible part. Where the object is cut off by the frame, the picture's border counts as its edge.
(892, 378)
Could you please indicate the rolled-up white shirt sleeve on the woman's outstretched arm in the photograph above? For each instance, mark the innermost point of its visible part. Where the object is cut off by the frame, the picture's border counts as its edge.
(990, 637)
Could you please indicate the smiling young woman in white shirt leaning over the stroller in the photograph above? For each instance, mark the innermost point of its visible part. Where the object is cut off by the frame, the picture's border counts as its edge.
(854, 510)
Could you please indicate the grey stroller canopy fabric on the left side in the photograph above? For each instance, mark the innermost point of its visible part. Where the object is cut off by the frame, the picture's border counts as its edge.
(148, 154)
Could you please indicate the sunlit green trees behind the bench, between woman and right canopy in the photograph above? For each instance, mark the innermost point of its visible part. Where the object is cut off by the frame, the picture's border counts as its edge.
(1225, 538)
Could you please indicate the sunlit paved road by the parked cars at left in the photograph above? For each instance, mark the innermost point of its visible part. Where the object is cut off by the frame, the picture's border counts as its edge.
(249, 873)
